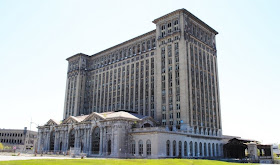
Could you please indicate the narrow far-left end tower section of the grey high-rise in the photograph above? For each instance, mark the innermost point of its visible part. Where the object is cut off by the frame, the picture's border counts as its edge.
(75, 85)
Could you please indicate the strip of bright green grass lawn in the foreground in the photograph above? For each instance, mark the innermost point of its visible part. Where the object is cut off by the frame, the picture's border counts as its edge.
(118, 162)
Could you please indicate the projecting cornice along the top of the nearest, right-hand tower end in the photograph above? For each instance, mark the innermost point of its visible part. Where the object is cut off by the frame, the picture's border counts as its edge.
(189, 14)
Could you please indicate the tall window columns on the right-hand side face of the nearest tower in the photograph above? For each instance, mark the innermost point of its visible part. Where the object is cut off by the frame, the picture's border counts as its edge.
(203, 88)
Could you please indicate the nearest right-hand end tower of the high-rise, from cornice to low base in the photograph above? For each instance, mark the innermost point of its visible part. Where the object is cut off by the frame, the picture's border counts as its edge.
(187, 87)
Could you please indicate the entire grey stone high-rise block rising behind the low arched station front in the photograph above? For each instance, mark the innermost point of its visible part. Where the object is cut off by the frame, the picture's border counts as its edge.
(169, 74)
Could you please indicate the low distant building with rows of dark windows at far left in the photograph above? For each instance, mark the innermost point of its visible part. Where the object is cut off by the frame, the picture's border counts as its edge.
(22, 139)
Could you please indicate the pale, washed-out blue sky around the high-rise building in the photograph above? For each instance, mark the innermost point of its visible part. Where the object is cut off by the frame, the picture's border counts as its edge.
(37, 36)
